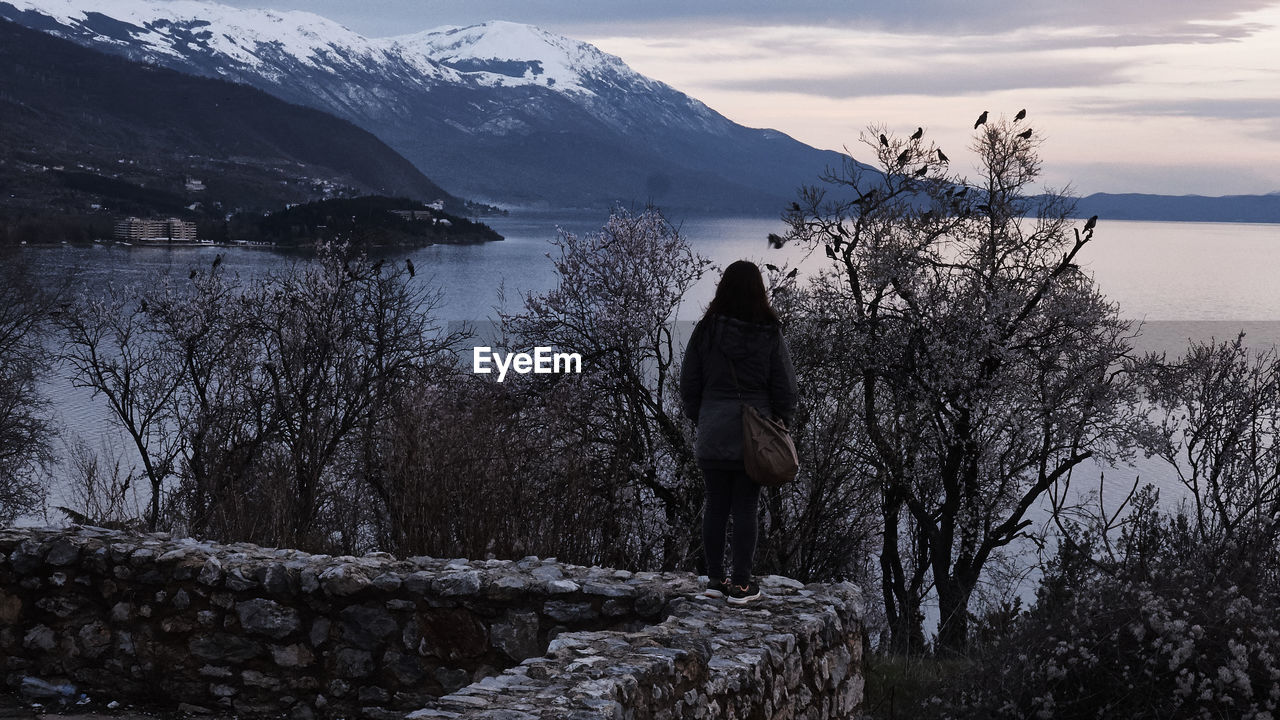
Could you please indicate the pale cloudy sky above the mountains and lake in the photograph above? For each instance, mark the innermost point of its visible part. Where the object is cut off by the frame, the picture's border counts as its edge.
(1169, 97)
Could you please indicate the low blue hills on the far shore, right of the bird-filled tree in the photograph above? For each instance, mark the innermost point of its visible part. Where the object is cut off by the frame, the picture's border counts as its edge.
(1183, 208)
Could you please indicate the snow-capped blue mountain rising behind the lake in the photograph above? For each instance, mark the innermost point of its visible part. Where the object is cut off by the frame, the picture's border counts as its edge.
(500, 112)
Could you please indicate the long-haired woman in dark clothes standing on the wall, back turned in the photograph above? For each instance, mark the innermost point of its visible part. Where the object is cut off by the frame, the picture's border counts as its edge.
(735, 356)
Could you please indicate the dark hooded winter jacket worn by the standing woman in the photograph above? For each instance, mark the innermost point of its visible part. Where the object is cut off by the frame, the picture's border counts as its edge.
(765, 375)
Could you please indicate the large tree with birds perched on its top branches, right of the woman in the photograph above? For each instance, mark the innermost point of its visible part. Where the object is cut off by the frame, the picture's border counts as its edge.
(986, 361)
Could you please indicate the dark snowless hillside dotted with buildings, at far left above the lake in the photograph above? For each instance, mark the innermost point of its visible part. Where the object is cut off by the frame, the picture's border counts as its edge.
(89, 134)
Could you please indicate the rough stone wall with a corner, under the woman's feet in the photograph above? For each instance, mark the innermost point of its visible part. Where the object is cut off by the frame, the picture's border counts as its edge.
(260, 632)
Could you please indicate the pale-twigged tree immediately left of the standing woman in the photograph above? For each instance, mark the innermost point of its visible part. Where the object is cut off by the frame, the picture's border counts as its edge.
(616, 297)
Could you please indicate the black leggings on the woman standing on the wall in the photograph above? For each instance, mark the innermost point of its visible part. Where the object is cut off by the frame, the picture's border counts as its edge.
(730, 493)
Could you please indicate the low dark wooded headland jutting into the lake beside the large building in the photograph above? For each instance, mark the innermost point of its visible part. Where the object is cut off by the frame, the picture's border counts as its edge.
(364, 222)
